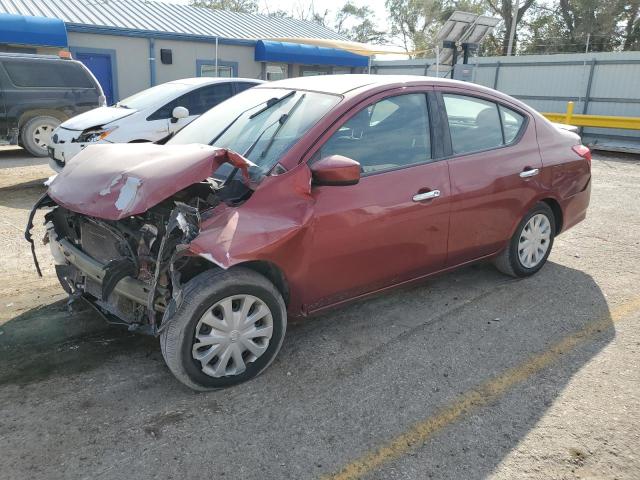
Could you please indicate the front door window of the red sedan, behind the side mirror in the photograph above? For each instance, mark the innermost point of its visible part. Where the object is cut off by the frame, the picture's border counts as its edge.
(389, 134)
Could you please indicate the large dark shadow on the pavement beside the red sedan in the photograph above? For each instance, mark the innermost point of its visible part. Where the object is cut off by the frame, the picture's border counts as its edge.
(345, 382)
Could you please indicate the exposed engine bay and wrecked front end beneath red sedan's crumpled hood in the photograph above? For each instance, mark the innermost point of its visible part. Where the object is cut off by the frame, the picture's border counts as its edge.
(131, 269)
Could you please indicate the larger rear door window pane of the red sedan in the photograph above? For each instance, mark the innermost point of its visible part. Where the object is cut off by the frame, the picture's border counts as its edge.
(474, 124)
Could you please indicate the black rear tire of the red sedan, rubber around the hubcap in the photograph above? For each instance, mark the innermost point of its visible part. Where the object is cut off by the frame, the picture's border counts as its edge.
(508, 261)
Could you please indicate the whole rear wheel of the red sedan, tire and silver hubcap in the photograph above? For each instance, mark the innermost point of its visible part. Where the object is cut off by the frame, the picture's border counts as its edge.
(530, 245)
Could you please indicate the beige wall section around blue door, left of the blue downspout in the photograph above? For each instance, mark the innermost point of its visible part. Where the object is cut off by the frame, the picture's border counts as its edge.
(132, 58)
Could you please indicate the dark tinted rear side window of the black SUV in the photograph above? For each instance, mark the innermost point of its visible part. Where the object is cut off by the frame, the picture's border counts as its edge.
(47, 73)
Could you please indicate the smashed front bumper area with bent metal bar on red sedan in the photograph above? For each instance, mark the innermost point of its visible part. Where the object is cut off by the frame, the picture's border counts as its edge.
(132, 288)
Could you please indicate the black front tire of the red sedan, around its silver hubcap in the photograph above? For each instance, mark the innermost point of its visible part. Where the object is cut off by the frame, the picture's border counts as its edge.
(202, 293)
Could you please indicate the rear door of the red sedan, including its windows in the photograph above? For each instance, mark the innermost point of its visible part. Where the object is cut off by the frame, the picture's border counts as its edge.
(494, 163)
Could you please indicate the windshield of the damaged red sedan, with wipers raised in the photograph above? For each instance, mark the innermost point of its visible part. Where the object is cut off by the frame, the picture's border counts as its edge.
(260, 123)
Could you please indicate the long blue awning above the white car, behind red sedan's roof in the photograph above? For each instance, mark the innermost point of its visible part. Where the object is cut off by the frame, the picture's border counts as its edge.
(269, 51)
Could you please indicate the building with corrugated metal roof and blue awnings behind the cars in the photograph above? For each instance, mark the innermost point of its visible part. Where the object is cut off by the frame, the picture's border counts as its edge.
(130, 45)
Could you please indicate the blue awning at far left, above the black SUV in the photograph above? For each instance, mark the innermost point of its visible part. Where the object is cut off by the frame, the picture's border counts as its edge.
(38, 31)
